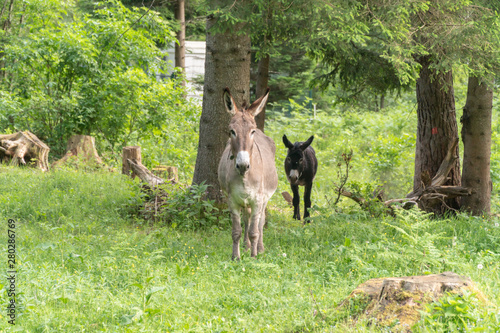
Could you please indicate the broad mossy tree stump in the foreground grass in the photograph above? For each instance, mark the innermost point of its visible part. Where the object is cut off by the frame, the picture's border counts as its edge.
(396, 302)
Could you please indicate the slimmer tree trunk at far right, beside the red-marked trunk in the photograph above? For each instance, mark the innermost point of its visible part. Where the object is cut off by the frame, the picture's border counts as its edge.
(476, 136)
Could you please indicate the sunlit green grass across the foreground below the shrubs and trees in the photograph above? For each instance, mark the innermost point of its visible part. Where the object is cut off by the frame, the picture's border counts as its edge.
(87, 262)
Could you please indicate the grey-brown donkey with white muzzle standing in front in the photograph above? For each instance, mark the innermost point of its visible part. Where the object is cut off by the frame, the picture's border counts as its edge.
(247, 173)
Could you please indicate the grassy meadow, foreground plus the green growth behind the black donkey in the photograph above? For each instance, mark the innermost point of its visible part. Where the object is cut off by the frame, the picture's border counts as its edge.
(87, 260)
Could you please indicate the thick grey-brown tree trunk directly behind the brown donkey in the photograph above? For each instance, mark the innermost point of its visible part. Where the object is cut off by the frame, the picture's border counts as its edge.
(227, 64)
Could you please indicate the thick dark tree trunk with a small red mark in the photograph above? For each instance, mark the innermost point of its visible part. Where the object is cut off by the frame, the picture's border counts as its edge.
(437, 130)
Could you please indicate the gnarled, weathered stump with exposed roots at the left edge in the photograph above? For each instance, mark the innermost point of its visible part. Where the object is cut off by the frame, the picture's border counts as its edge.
(25, 148)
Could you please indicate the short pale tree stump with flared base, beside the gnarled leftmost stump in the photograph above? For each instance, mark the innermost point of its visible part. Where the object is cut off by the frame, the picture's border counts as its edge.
(81, 147)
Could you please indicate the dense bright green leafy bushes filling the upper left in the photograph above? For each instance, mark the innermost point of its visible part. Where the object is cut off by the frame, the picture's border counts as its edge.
(95, 74)
